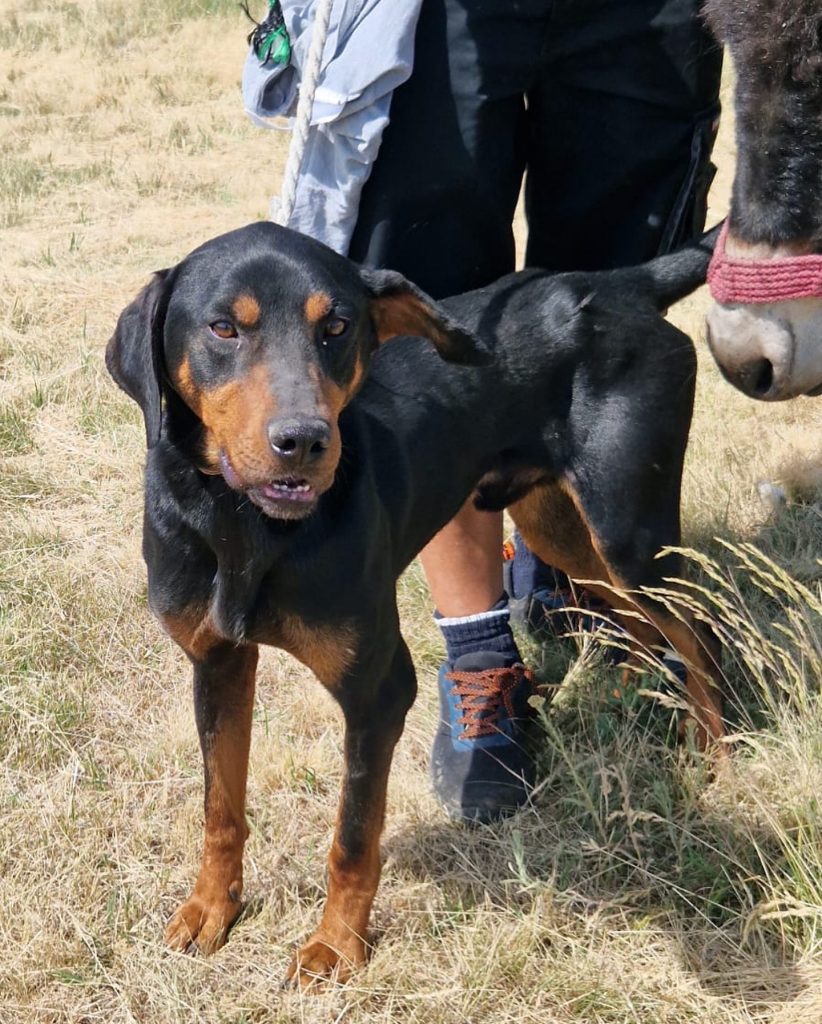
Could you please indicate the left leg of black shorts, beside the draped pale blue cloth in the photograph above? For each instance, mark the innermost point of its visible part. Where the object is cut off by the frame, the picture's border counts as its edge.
(440, 203)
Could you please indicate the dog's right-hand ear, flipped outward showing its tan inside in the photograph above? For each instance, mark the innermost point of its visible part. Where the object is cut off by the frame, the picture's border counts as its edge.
(399, 308)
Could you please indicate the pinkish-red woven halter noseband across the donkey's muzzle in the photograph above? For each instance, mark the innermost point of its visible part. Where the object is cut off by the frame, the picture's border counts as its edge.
(758, 281)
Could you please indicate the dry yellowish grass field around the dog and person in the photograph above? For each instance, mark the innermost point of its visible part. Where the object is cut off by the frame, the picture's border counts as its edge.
(634, 890)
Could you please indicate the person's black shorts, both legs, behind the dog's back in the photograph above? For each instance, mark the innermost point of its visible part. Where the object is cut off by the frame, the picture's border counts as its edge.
(609, 108)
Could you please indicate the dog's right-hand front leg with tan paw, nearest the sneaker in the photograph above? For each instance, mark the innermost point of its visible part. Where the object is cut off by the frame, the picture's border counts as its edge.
(374, 720)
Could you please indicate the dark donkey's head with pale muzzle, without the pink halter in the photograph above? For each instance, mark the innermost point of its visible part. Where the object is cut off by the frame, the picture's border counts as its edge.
(773, 351)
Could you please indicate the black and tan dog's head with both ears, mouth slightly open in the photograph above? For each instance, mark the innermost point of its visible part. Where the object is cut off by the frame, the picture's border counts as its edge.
(266, 336)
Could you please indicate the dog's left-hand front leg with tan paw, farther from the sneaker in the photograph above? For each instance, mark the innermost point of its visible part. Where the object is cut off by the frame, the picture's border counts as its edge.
(225, 676)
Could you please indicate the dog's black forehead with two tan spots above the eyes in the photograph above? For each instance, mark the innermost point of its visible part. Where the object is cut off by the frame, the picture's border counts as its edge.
(266, 272)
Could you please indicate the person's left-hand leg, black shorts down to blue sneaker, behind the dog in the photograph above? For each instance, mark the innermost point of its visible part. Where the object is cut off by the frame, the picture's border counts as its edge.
(439, 207)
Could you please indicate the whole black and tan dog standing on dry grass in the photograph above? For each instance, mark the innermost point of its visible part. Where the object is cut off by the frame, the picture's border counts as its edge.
(295, 471)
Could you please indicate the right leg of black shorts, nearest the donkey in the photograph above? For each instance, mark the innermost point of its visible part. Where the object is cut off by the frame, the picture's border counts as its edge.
(622, 126)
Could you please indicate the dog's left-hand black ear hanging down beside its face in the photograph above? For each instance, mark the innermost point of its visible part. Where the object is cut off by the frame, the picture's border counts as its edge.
(134, 356)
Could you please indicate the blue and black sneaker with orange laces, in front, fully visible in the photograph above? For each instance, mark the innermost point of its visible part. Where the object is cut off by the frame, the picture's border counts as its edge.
(481, 767)
